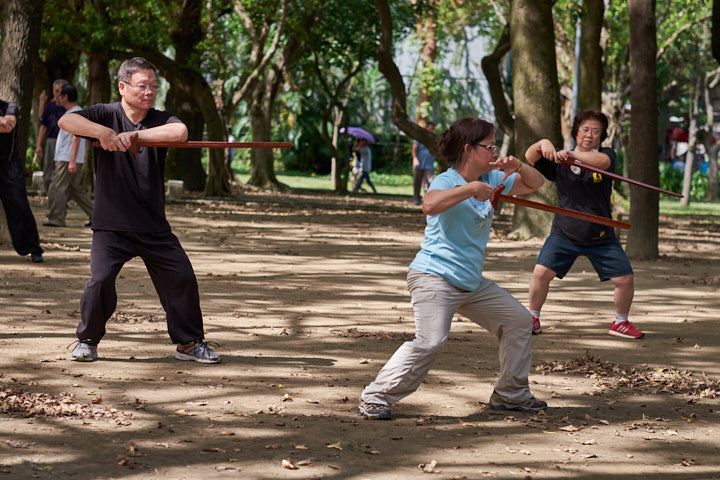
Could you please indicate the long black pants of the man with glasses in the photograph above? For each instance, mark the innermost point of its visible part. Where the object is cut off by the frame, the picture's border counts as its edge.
(171, 274)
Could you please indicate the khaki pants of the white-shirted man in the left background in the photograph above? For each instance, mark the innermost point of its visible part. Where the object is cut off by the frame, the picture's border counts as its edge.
(65, 185)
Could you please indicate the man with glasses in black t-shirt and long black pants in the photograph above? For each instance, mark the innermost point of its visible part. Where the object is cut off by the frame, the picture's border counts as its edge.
(129, 218)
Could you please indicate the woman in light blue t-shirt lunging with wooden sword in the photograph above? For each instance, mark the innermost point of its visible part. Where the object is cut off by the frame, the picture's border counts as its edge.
(446, 275)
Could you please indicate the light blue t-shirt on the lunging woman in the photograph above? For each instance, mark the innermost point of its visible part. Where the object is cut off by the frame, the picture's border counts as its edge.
(455, 240)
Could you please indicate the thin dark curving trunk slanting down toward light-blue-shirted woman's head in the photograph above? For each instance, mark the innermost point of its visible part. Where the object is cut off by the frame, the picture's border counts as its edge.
(397, 87)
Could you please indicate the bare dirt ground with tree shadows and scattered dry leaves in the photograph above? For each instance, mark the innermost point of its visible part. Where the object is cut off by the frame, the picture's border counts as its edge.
(305, 295)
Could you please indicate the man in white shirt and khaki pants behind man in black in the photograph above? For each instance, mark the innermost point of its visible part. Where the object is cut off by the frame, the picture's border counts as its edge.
(69, 160)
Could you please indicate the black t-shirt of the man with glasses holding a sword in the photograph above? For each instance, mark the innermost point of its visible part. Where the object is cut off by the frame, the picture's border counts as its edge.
(129, 189)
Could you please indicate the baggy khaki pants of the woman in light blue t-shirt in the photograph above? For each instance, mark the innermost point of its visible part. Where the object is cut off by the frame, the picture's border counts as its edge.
(435, 301)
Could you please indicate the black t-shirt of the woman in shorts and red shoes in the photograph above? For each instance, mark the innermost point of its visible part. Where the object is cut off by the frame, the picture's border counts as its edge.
(583, 191)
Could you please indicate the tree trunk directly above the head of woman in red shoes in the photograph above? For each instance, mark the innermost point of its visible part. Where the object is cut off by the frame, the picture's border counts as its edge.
(591, 68)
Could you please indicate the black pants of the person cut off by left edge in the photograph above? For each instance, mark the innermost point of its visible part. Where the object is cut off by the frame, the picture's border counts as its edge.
(21, 222)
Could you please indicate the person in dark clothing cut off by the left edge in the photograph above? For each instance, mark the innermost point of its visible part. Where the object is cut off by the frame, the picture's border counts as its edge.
(13, 193)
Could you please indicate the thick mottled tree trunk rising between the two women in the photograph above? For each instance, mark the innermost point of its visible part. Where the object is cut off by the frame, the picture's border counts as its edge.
(536, 98)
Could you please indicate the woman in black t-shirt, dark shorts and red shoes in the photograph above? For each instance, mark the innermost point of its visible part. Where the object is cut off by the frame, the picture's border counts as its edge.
(570, 238)
